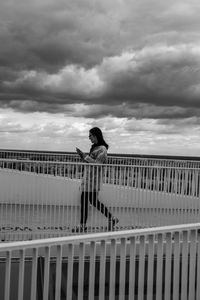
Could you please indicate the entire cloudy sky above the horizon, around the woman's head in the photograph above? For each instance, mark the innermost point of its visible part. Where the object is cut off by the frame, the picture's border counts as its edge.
(130, 67)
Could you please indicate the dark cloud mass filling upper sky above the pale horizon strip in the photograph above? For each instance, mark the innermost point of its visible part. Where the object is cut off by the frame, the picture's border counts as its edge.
(122, 59)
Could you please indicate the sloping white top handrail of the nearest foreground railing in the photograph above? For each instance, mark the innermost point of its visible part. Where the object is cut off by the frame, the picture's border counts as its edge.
(8, 246)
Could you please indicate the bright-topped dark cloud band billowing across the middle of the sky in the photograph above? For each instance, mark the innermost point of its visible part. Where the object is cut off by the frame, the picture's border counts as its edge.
(159, 76)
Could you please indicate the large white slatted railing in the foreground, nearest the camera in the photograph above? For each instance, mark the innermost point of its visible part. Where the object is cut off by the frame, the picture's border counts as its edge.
(156, 263)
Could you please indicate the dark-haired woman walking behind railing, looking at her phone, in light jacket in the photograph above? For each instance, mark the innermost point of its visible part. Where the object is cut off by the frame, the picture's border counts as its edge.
(92, 179)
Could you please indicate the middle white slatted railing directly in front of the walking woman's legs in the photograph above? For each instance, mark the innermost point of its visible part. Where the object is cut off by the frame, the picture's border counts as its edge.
(42, 199)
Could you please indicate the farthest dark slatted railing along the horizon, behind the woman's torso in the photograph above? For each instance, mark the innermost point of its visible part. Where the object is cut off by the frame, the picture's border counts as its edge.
(112, 159)
